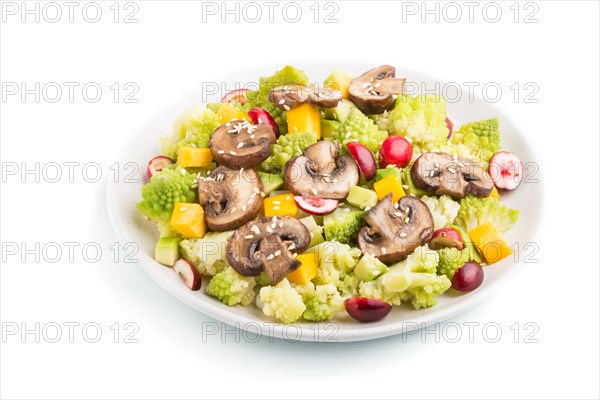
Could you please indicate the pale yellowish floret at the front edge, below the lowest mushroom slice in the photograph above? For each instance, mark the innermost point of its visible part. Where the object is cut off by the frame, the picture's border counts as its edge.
(282, 302)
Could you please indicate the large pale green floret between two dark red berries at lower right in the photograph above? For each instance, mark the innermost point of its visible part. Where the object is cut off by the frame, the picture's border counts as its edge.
(414, 279)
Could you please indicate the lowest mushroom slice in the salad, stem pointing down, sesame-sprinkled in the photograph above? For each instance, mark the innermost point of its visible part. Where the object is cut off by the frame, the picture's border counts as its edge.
(268, 244)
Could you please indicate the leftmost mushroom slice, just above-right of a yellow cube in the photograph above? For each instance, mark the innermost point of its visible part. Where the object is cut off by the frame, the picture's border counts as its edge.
(230, 198)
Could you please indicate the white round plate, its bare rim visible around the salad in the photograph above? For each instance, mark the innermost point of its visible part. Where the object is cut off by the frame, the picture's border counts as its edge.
(130, 226)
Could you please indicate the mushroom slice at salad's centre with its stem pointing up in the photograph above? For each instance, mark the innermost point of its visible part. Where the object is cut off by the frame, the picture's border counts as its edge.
(319, 172)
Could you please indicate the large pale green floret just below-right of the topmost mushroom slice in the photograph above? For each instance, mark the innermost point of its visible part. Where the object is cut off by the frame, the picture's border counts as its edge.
(422, 119)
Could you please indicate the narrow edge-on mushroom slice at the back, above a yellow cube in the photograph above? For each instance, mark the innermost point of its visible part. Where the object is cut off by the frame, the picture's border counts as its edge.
(290, 96)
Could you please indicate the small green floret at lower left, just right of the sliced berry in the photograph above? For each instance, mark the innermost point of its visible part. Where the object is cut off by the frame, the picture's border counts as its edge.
(232, 288)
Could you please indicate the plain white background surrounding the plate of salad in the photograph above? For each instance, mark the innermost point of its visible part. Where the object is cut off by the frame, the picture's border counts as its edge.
(171, 50)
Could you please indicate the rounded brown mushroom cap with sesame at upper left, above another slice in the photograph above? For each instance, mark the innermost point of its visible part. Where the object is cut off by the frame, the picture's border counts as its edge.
(240, 144)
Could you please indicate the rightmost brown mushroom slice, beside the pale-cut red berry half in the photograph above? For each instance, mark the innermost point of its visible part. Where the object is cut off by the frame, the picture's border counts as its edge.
(442, 173)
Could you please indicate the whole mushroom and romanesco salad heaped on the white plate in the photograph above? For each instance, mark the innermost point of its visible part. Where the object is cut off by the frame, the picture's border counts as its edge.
(314, 200)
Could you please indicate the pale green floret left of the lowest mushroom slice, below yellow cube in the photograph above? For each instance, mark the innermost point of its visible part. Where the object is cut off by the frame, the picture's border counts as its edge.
(208, 253)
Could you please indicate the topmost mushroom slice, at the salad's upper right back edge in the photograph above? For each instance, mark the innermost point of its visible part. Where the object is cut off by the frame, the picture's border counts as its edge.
(372, 91)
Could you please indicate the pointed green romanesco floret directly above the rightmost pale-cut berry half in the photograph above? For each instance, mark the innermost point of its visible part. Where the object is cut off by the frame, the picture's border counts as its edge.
(476, 141)
